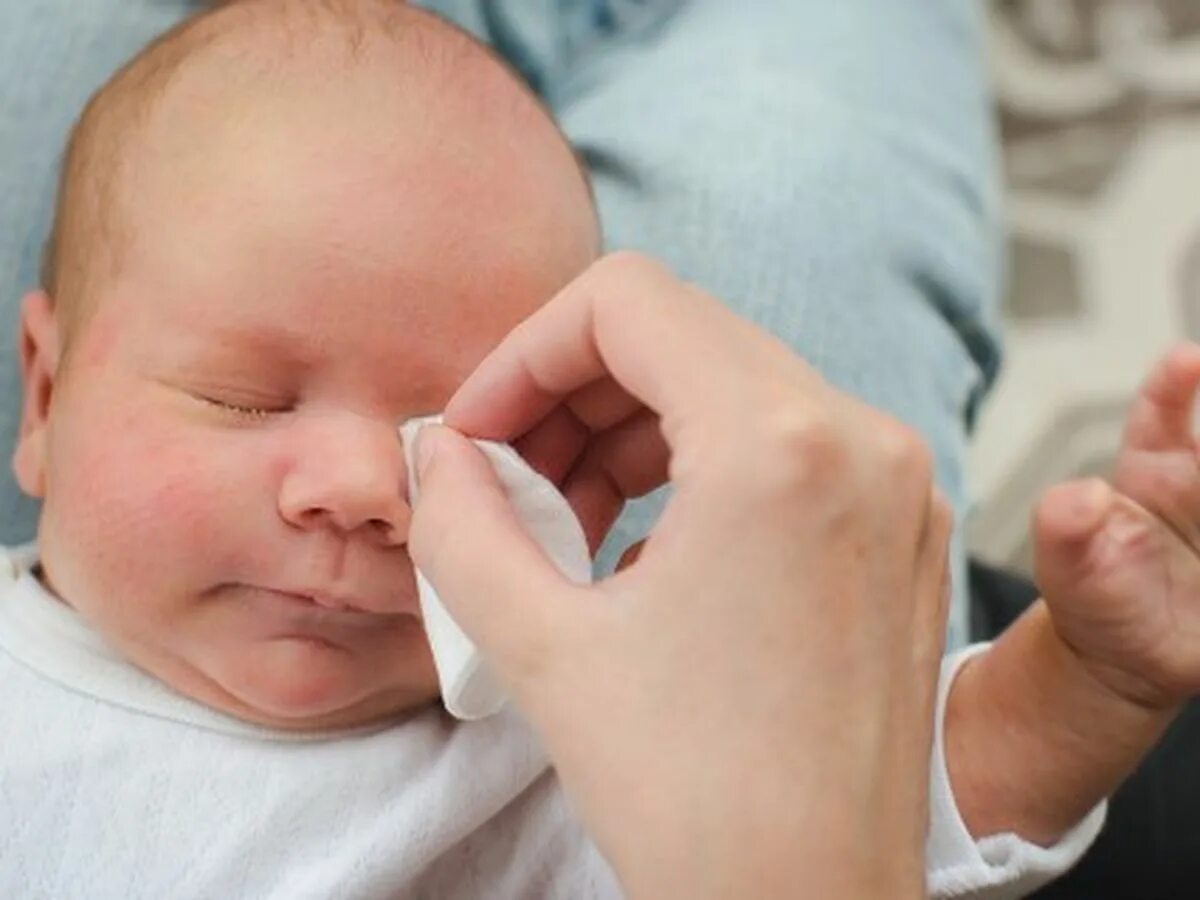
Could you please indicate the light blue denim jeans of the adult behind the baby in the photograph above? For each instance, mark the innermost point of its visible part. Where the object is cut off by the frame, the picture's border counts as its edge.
(824, 167)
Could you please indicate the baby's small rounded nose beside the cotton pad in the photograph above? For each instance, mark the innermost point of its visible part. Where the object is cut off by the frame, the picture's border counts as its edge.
(349, 477)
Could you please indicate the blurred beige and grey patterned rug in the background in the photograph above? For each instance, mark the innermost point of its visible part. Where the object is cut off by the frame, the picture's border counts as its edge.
(1100, 109)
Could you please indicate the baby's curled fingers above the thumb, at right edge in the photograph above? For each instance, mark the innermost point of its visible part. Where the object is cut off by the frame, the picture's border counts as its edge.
(1162, 416)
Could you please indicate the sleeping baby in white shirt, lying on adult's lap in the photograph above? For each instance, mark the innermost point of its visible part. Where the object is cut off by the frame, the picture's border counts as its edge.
(283, 230)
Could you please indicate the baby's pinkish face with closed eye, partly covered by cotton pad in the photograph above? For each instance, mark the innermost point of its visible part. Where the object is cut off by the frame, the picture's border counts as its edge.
(225, 487)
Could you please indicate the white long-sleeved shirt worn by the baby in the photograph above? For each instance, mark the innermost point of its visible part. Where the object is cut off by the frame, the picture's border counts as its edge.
(115, 787)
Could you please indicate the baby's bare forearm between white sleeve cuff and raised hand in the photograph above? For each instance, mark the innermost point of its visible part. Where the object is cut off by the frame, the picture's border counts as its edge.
(1035, 739)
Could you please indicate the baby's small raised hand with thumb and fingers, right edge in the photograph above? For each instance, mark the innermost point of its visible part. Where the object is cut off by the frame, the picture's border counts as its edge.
(1120, 566)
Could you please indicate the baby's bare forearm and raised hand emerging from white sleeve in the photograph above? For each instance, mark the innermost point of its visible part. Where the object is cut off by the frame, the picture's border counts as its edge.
(1065, 705)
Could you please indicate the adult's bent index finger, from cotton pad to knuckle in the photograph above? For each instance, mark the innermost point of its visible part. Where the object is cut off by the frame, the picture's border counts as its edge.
(627, 319)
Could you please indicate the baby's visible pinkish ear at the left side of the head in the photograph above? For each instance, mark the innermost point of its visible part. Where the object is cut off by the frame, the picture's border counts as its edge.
(39, 365)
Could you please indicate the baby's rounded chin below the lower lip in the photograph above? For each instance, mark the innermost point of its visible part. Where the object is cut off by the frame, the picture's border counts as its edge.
(303, 685)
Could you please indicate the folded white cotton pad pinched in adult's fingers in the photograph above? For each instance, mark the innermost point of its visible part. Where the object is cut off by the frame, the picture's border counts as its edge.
(470, 689)
